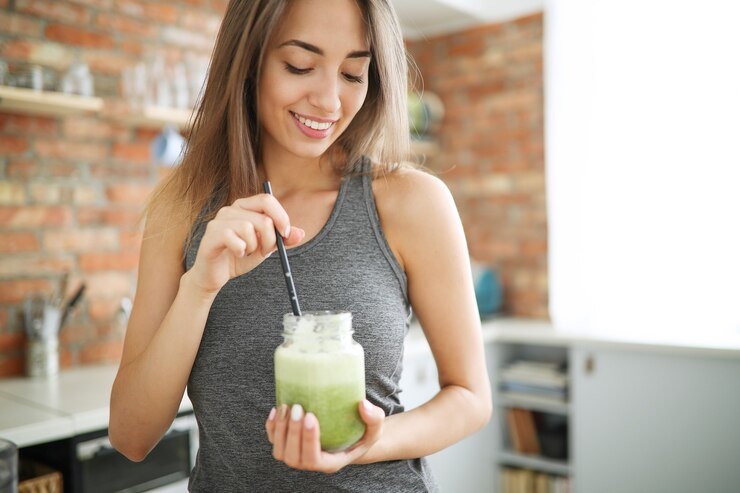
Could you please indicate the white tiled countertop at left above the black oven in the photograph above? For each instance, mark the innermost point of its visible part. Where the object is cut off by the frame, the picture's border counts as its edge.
(44, 409)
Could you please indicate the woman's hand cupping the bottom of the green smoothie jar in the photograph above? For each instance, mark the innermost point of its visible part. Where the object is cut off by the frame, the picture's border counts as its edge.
(295, 438)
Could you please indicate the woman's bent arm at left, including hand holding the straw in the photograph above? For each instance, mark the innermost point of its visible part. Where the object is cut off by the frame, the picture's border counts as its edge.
(170, 312)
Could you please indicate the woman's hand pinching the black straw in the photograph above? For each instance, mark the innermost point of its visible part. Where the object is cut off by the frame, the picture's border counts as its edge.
(238, 239)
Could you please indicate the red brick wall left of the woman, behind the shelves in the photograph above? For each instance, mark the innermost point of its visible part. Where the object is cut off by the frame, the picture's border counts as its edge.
(71, 188)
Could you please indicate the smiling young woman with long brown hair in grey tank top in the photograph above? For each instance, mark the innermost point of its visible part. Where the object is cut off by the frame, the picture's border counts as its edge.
(310, 94)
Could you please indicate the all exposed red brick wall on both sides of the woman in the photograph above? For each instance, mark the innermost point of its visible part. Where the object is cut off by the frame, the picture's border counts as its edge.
(71, 188)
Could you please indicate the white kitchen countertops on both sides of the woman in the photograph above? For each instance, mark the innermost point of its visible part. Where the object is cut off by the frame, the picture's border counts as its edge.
(37, 410)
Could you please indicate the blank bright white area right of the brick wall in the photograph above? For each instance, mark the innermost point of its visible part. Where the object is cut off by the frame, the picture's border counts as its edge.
(643, 165)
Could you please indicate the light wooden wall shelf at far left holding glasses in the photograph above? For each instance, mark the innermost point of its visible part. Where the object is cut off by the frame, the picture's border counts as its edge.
(51, 103)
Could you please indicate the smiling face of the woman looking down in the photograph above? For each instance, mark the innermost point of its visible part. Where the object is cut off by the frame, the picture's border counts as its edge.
(314, 77)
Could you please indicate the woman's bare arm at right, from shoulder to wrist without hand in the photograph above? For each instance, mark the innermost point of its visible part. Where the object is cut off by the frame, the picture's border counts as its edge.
(424, 229)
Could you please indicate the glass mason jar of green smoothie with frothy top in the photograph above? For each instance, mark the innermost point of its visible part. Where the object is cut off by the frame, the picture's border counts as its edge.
(321, 367)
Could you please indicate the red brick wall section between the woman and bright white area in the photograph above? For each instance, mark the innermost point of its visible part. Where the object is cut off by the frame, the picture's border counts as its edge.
(491, 141)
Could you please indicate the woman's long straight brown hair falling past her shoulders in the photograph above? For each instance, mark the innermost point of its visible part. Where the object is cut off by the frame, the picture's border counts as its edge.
(223, 147)
